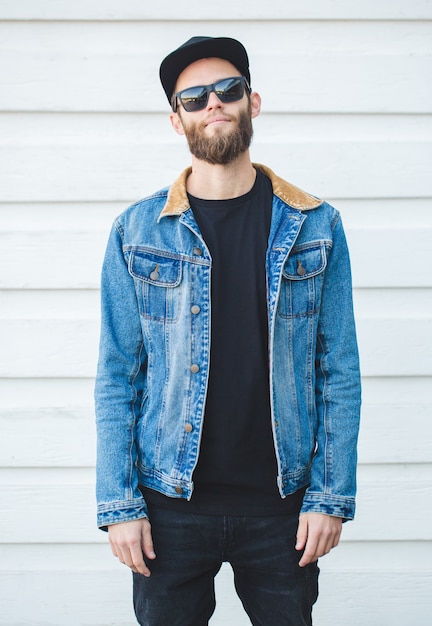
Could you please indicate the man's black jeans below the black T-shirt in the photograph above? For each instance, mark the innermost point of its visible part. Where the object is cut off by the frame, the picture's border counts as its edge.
(190, 550)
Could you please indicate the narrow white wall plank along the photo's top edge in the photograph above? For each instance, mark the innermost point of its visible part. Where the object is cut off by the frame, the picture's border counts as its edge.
(225, 13)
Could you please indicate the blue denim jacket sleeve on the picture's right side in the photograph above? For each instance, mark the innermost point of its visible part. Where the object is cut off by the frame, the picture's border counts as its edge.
(338, 391)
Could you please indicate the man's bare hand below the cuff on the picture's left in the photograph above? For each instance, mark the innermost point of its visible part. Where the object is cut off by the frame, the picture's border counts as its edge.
(129, 540)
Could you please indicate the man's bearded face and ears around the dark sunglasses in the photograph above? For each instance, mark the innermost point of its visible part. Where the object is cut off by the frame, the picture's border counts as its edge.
(220, 132)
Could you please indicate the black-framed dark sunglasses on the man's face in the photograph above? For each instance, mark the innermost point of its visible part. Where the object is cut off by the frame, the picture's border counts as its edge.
(195, 98)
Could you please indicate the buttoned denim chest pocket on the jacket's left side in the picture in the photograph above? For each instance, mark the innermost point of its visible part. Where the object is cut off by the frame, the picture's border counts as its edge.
(158, 283)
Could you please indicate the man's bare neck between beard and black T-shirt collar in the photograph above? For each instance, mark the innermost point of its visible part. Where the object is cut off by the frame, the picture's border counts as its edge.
(221, 182)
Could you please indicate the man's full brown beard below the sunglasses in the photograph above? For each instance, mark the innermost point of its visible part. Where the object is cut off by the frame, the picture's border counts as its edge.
(223, 147)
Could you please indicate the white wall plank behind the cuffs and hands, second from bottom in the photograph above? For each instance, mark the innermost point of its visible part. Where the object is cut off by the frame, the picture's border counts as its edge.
(63, 503)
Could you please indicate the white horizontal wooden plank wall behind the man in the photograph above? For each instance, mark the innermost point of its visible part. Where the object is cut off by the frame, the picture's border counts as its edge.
(347, 99)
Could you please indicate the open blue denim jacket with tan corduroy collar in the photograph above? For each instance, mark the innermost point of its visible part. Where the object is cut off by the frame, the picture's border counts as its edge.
(155, 349)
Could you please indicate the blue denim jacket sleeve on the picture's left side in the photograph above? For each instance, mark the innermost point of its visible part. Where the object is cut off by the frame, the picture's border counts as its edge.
(120, 387)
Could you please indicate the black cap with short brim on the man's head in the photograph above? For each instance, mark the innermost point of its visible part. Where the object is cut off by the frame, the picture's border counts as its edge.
(202, 48)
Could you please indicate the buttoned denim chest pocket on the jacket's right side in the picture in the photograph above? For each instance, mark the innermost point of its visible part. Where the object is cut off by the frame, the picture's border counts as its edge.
(302, 278)
